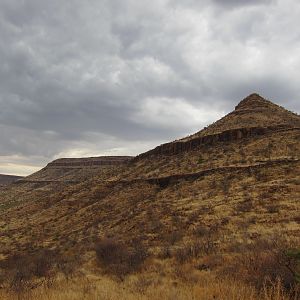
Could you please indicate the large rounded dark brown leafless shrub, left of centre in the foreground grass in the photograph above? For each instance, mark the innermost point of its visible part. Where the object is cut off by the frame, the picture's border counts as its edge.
(118, 259)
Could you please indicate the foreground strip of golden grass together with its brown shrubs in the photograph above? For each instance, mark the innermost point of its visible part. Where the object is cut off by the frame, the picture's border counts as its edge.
(264, 271)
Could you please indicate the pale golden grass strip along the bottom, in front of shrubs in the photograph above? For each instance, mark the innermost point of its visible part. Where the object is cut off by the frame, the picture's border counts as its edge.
(138, 287)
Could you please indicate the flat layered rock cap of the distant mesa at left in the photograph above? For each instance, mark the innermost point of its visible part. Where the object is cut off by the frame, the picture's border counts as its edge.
(90, 161)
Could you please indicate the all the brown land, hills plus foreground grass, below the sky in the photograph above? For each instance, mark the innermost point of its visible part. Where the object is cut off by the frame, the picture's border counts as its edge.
(215, 215)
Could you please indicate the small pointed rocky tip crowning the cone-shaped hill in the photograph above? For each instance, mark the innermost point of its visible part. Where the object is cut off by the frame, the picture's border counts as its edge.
(255, 101)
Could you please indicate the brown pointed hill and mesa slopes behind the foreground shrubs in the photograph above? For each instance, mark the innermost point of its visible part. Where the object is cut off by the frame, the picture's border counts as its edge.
(238, 180)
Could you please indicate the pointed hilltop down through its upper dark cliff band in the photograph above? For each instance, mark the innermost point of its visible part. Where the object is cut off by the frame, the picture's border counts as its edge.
(253, 116)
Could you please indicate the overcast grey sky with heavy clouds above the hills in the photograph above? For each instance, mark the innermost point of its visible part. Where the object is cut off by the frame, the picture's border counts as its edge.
(119, 77)
